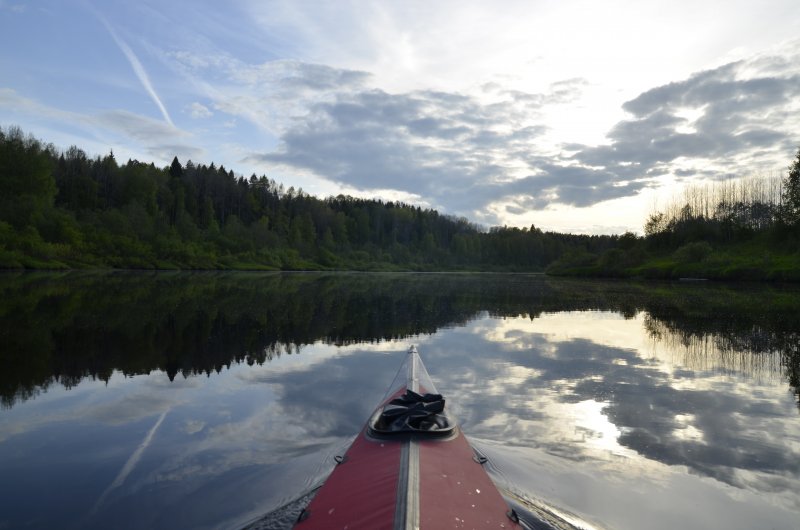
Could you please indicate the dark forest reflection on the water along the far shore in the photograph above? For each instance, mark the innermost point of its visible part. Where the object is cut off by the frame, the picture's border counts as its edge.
(67, 327)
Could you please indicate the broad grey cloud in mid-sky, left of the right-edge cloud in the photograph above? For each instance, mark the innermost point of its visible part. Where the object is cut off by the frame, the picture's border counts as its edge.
(442, 146)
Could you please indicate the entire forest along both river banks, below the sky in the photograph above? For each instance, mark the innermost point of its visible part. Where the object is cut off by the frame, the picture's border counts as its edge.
(65, 210)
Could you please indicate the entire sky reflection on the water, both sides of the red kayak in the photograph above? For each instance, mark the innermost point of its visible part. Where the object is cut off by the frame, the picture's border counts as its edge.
(608, 416)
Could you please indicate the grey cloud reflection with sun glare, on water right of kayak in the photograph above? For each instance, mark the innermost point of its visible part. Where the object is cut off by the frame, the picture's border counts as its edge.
(572, 393)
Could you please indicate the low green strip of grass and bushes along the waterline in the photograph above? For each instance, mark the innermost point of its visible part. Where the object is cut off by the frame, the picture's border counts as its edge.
(751, 262)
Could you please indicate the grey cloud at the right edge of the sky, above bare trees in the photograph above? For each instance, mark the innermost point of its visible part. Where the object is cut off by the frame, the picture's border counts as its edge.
(744, 110)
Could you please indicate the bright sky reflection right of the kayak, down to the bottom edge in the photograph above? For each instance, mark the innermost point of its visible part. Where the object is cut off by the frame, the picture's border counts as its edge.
(589, 412)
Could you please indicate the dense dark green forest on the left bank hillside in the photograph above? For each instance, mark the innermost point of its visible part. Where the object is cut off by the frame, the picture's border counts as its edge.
(65, 209)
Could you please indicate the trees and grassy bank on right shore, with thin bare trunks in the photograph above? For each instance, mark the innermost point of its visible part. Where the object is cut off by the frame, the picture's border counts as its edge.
(735, 229)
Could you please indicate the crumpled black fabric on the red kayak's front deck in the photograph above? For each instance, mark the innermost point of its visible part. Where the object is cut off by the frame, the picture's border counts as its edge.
(413, 412)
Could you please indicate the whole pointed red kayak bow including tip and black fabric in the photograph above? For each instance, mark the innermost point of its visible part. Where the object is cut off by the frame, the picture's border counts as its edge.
(410, 468)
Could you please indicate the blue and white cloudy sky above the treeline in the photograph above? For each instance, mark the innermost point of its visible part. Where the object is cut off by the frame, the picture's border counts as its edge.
(575, 115)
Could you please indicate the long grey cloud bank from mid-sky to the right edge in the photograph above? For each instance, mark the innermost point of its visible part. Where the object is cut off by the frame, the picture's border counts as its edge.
(463, 152)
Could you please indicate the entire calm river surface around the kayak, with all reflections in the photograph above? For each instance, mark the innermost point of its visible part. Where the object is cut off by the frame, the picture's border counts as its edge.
(213, 400)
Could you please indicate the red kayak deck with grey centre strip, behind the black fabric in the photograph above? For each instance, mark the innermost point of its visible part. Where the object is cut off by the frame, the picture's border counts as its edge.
(408, 482)
